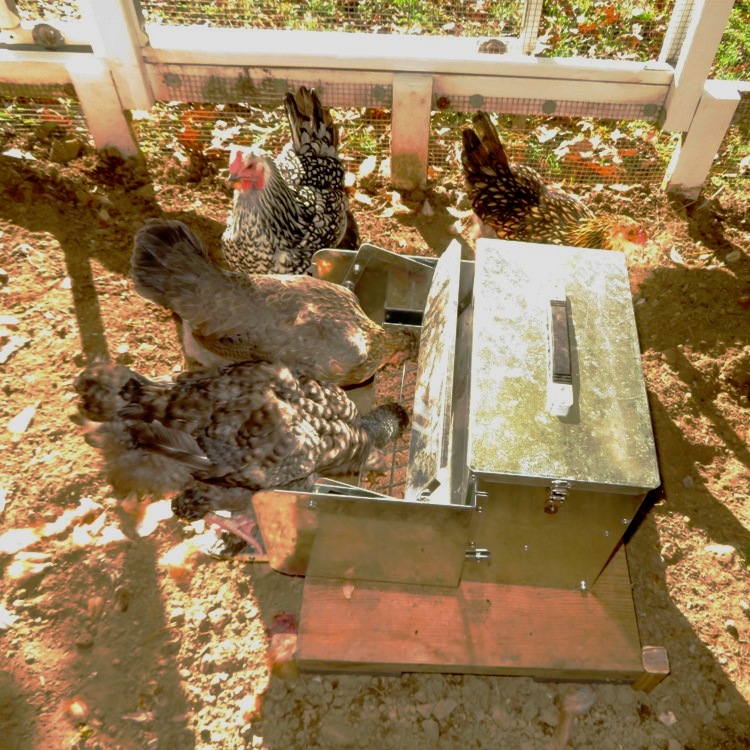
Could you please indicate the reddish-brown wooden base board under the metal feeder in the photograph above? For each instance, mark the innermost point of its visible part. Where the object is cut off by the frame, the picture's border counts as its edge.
(479, 628)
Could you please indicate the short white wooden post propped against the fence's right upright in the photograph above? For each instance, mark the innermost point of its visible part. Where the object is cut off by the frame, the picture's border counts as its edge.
(692, 159)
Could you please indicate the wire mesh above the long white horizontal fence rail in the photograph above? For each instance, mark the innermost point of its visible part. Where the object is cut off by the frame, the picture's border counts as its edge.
(625, 30)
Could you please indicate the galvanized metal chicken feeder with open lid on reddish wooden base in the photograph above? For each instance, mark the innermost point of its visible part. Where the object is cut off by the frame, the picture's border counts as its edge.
(531, 450)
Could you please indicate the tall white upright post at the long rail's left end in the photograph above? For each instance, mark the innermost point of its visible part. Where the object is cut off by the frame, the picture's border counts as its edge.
(119, 40)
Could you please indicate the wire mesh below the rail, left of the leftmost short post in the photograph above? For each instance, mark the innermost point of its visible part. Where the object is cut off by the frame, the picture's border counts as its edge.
(32, 112)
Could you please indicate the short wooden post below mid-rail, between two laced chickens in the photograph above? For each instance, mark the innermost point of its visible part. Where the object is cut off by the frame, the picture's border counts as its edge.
(410, 129)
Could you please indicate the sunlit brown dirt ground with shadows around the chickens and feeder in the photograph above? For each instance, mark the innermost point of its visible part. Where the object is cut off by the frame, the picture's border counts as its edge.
(103, 644)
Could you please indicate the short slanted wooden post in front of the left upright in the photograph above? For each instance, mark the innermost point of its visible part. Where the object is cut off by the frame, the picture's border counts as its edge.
(108, 123)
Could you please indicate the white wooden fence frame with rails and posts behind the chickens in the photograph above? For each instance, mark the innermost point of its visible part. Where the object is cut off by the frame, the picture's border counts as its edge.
(121, 67)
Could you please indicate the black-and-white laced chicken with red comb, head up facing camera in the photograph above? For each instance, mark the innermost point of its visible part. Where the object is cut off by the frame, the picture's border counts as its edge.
(284, 210)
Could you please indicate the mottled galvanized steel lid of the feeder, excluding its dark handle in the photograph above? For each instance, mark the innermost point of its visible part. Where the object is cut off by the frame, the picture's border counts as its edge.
(514, 433)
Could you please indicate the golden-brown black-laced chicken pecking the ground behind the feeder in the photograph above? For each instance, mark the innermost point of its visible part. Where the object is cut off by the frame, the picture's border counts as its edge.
(513, 200)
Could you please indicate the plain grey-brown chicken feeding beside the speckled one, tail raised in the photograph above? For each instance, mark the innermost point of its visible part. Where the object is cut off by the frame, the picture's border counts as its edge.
(316, 327)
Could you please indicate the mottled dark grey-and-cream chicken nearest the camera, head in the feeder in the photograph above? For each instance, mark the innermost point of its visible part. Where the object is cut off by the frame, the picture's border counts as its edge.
(208, 435)
